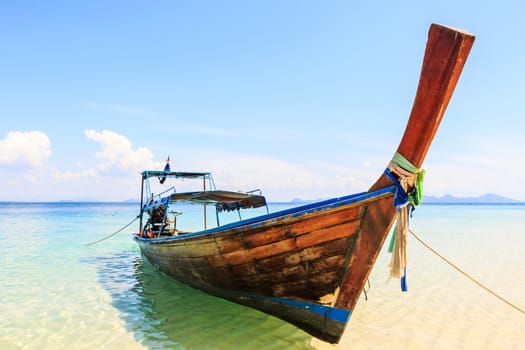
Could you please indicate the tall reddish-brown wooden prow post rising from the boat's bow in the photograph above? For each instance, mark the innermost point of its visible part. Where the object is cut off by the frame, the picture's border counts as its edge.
(445, 55)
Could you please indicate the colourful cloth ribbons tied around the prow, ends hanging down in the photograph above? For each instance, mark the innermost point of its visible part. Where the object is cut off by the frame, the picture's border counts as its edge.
(409, 192)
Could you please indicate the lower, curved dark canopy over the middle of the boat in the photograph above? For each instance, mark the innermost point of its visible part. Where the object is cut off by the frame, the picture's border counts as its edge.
(223, 200)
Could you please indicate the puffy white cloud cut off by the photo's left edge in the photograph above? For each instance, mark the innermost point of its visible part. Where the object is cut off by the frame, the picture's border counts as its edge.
(30, 148)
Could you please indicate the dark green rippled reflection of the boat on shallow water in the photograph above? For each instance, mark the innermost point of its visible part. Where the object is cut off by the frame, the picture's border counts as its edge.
(164, 313)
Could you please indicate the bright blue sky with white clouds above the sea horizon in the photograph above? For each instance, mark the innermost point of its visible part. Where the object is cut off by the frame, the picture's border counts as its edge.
(303, 99)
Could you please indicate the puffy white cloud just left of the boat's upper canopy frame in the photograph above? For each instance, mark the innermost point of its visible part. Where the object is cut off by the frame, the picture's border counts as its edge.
(117, 152)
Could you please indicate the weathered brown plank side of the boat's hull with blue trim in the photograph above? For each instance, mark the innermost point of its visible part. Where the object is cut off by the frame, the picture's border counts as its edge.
(283, 264)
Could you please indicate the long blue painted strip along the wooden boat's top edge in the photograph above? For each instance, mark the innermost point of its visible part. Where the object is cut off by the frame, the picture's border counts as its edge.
(294, 212)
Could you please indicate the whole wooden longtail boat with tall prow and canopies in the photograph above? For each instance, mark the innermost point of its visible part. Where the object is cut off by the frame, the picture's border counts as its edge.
(307, 265)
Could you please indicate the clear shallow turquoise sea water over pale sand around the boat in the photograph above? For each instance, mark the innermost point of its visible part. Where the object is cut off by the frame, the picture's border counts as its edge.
(56, 293)
